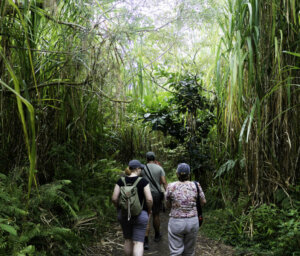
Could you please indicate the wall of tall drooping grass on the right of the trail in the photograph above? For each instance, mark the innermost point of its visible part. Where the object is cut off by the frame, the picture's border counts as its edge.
(258, 92)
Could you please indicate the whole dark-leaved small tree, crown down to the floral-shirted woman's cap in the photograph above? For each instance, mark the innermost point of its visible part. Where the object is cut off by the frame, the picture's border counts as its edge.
(188, 118)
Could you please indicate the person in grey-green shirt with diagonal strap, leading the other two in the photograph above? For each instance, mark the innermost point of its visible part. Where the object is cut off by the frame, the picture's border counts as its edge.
(155, 174)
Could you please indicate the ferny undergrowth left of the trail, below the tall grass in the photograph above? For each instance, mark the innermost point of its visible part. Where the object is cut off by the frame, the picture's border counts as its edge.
(61, 217)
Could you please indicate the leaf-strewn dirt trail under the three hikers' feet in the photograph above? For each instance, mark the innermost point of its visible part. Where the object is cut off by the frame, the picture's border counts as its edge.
(112, 245)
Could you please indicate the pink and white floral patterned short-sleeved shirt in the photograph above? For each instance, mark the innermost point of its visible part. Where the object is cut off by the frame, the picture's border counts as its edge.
(182, 196)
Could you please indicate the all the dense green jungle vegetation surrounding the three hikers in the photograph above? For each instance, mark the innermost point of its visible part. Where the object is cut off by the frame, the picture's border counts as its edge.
(88, 85)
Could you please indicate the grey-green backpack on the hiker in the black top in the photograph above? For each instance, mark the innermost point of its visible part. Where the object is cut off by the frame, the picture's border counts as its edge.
(129, 201)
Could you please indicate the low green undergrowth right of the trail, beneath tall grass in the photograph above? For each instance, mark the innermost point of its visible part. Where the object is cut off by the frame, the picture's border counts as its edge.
(266, 229)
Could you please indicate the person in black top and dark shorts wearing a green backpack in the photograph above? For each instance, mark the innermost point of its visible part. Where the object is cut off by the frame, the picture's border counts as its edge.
(134, 227)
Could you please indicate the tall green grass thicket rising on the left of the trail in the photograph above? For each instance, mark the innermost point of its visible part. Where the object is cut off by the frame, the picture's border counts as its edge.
(64, 71)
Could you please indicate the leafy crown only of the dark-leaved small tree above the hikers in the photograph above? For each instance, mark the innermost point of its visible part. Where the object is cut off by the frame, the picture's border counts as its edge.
(188, 111)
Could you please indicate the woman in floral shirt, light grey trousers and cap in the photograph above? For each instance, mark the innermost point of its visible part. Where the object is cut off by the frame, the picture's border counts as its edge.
(183, 224)
